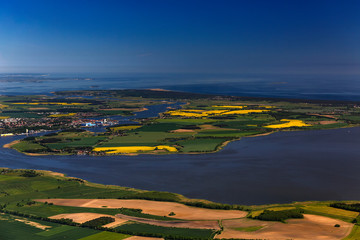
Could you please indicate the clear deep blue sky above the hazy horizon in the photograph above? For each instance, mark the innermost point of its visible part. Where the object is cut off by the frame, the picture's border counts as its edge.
(180, 36)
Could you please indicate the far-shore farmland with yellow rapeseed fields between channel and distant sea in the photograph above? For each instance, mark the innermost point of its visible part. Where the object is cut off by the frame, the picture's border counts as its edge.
(204, 124)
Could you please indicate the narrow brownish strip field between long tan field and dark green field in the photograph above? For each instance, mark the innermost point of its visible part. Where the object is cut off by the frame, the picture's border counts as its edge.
(210, 224)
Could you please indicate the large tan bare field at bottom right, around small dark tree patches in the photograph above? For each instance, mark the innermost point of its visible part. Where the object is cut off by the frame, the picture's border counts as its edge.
(311, 227)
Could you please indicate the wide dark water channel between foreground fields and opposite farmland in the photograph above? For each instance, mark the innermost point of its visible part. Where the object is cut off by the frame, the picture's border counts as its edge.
(281, 167)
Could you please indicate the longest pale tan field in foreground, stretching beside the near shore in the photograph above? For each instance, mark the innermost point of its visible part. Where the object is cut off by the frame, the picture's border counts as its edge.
(152, 207)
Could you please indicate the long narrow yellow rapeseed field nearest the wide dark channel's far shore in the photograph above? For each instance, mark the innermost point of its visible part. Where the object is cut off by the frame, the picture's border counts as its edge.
(133, 149)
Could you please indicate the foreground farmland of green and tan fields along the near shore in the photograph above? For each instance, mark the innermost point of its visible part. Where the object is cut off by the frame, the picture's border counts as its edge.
(46, 205)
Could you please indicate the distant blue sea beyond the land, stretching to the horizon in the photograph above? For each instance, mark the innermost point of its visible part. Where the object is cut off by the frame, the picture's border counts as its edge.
(317, 86)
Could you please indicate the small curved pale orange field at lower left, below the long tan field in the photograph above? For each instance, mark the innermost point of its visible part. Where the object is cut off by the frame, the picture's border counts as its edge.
(84, 217)
